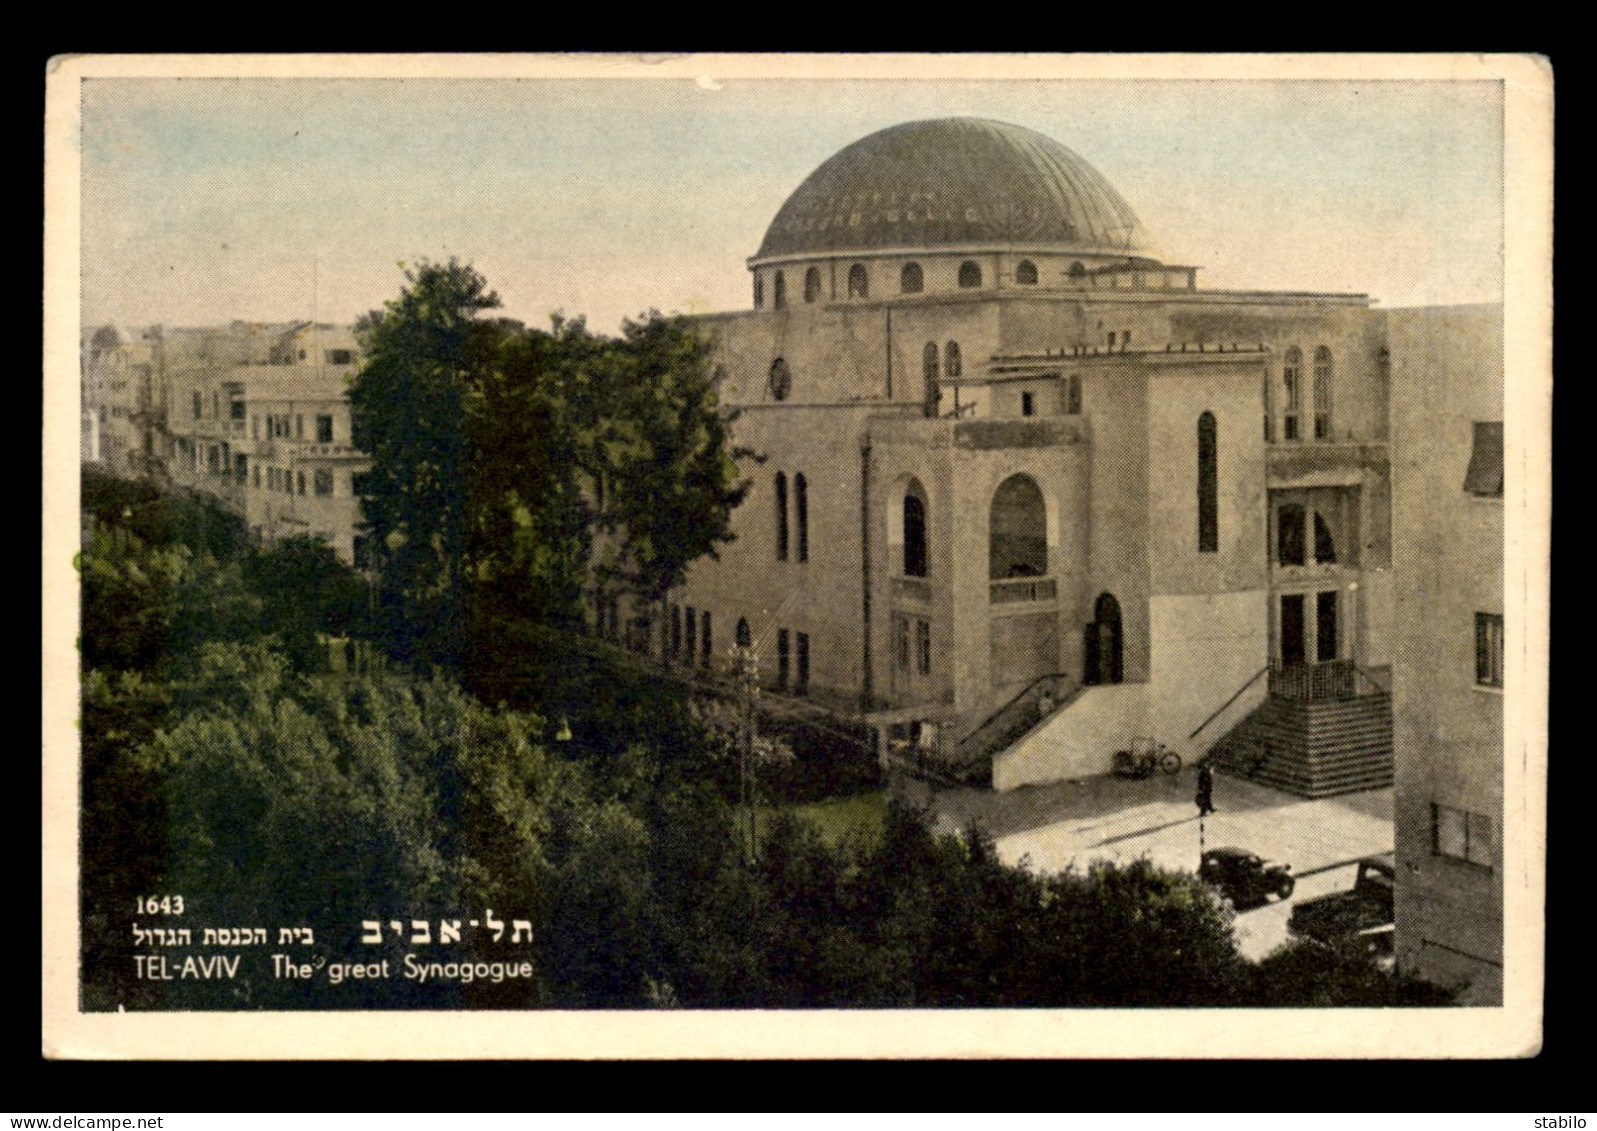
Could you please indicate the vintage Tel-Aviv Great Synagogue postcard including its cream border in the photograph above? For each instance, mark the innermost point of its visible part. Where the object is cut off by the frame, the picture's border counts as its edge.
(748, 550)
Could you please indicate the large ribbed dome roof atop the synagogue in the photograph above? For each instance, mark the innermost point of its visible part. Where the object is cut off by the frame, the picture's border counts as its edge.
(956, 183)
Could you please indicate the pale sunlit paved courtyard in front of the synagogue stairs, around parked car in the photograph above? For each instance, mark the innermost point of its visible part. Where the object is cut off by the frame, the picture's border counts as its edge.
(1072, 823)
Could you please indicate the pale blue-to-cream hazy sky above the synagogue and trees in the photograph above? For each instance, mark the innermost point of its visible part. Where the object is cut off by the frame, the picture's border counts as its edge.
(277, 199)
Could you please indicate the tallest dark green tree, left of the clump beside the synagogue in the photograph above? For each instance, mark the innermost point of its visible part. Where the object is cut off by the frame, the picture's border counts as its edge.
(408, 411)
